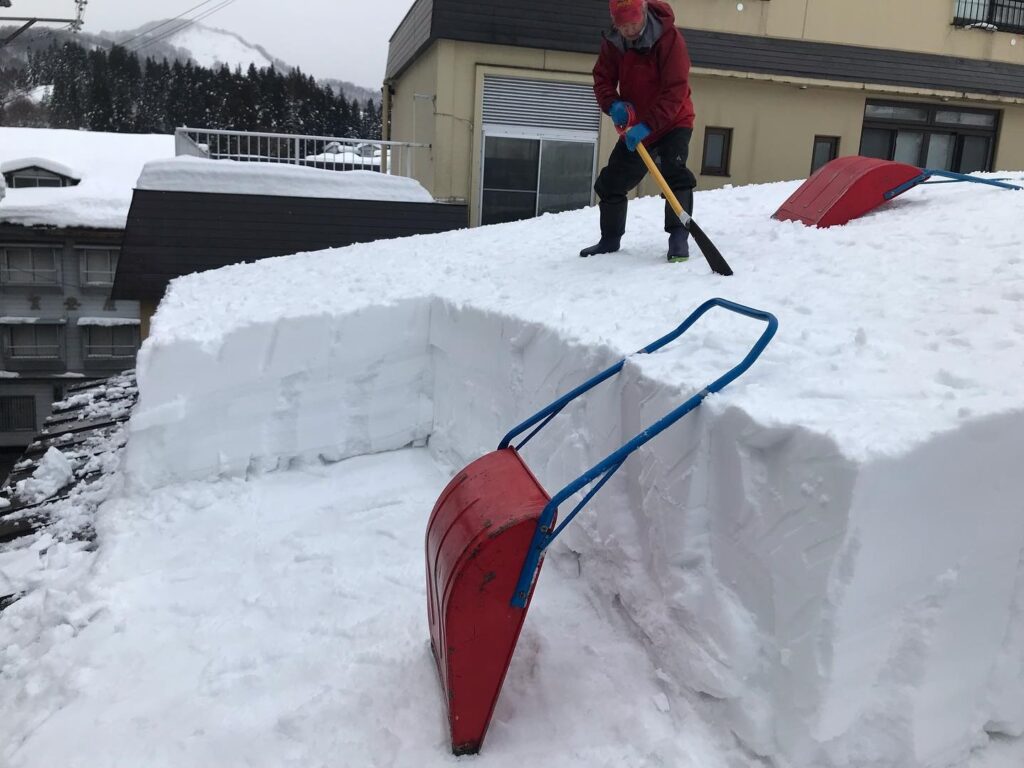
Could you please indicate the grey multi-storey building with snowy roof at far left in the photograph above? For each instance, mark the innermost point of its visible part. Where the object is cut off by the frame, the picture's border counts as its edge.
(62, 227)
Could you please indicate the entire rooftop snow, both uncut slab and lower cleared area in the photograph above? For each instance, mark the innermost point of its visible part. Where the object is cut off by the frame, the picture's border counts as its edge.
(821, 567)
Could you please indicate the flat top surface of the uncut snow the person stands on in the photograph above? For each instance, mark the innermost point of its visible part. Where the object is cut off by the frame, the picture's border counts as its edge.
(897, 327)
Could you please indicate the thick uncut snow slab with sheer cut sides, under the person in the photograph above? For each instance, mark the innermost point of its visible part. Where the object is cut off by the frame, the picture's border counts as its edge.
(831, 549)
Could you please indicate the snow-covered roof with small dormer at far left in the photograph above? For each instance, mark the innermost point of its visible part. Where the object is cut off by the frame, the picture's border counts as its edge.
(108, 164)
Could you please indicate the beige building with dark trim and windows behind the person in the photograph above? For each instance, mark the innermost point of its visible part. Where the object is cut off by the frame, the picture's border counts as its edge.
(502, 93)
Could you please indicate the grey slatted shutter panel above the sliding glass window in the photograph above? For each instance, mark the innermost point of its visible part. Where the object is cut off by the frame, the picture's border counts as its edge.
(540, 104)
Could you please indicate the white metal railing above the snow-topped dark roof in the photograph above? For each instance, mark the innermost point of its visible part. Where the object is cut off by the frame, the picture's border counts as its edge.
(330, 153)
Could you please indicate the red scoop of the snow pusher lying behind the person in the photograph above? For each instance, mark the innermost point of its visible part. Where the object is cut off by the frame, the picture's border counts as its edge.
(844, 190)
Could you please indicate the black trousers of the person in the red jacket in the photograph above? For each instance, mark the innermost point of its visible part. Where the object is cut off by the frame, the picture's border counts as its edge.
(626, 169)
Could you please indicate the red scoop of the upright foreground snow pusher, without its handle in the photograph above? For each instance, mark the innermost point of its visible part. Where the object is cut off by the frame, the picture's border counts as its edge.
(478, 538)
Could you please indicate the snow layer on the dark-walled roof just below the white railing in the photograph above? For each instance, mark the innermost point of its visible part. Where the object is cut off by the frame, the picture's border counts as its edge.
(200, 176)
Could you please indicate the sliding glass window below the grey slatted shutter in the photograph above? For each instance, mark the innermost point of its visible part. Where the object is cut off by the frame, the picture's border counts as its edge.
(525, 178)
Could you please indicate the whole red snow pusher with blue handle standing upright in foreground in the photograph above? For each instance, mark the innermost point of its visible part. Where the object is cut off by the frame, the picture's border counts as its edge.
(487, 537)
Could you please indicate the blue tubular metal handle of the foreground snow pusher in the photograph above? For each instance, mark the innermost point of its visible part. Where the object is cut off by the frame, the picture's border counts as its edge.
(544, 536)
